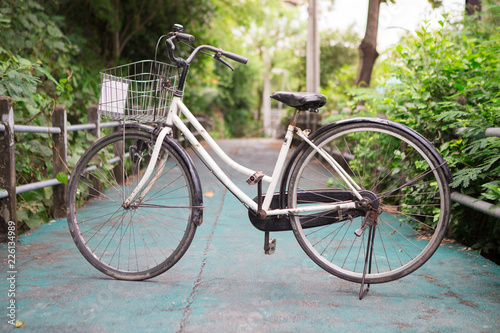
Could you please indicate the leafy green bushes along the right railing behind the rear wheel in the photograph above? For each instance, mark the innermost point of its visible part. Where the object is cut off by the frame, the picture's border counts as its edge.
(450, 85)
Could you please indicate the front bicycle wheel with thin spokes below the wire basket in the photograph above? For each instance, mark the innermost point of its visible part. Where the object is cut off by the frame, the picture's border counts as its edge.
(146, 237)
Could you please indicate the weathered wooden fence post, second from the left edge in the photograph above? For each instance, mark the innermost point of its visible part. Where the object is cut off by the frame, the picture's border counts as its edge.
(60, 161)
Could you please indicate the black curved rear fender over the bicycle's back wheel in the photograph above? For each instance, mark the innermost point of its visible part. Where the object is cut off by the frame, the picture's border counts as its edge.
(417, 136)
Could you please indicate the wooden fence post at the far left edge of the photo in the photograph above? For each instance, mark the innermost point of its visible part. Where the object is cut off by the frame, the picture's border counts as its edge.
(8, 212)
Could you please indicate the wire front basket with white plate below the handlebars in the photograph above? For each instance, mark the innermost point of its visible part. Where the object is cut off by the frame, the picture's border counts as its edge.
(139, 91)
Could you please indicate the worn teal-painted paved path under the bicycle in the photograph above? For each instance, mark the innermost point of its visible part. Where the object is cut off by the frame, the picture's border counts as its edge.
(226, 284)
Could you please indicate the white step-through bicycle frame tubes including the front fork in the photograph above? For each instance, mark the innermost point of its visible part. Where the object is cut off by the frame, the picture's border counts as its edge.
(174, 119)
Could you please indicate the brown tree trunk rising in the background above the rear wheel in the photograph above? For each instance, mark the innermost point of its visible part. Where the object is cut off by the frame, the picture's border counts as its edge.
(368, 47)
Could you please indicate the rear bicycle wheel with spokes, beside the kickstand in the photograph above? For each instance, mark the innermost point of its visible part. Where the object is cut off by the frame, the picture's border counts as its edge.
(408, 183)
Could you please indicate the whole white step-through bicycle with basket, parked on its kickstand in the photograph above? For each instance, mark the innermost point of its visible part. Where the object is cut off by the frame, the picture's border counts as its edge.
(367, 199)
